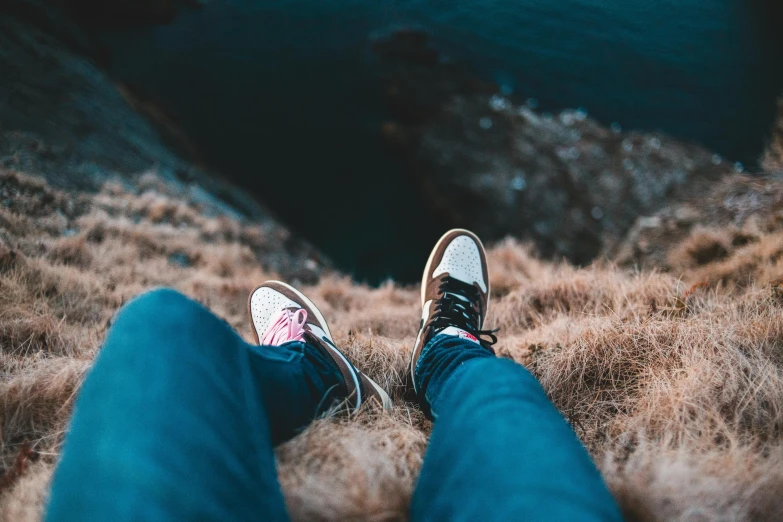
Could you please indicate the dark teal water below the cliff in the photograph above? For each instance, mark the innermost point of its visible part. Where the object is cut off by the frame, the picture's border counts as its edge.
(283, 96)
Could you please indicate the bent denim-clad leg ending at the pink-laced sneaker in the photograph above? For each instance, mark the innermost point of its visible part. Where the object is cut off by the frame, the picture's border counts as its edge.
(178, 418)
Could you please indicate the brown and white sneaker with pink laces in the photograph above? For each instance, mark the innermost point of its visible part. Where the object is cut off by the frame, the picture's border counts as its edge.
(280, 313)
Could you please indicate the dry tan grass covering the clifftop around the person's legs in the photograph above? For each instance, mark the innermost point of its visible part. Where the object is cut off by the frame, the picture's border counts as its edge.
(676, 388)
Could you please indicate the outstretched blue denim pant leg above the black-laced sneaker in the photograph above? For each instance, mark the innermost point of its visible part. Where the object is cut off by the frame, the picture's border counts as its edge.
(500, 450)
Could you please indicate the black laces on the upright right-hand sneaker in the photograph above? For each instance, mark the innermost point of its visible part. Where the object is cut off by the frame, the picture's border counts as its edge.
(458, 306)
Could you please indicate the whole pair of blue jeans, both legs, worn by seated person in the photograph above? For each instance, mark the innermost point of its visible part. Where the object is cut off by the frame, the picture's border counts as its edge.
(179, 417)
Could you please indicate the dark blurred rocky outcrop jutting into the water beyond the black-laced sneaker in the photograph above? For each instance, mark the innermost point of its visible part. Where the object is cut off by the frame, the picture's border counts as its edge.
(565, 181)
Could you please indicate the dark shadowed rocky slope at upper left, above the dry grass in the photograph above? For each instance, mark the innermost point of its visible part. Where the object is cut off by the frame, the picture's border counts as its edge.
(62, 118)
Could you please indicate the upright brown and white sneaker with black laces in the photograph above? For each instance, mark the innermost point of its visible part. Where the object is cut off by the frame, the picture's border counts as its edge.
(454, 292)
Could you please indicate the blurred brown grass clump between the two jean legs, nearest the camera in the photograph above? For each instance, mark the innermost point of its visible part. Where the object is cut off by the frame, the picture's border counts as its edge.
(372, 460)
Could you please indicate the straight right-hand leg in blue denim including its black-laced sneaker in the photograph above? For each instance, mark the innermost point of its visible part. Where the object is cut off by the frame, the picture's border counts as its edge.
(499, 449)
